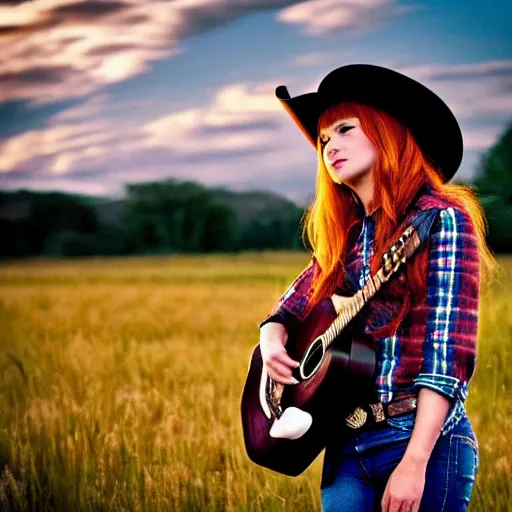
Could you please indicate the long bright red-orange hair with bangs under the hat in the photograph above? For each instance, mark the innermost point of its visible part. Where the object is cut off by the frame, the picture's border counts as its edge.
(399, 173)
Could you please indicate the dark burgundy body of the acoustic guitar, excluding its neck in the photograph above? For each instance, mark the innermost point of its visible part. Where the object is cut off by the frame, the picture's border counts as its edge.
(344, 379)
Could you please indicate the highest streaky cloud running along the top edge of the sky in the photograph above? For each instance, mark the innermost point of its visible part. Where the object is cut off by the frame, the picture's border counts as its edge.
(56, 49)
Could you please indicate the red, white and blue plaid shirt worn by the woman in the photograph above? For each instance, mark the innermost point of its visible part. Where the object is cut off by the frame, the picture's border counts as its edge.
(435, 345)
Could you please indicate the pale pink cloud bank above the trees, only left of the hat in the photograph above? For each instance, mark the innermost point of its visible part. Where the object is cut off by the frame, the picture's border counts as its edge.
(242, 137)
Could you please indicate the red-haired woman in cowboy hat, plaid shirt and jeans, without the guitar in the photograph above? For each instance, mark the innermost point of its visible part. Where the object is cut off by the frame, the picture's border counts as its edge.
(386, 148)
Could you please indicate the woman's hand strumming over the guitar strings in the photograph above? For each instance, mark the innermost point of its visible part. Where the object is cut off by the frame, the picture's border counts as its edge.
(279, 365)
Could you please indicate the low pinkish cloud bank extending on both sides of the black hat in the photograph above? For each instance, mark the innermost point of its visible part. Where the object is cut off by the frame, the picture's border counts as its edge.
(242, 138)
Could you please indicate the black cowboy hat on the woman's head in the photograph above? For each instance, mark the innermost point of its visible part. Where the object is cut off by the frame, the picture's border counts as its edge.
(429, 119)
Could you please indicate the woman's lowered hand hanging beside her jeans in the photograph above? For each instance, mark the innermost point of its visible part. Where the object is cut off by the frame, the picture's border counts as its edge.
(405, 487)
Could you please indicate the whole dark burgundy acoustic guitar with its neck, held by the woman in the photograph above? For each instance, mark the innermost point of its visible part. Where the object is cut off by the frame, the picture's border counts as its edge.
(285, 427)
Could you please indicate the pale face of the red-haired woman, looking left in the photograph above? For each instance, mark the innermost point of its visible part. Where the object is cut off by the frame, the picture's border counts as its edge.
(347, 152)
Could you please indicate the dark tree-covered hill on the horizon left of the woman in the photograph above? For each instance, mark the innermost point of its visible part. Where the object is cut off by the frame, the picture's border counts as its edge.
(155, 217)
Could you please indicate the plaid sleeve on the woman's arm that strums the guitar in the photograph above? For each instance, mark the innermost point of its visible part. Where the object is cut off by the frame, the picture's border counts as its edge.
(292, 306)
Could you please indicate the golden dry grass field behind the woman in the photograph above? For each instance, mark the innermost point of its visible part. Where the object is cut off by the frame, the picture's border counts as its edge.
(120, 382)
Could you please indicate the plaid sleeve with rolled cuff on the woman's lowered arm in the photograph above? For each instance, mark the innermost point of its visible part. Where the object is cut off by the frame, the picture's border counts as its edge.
(449, 347)
